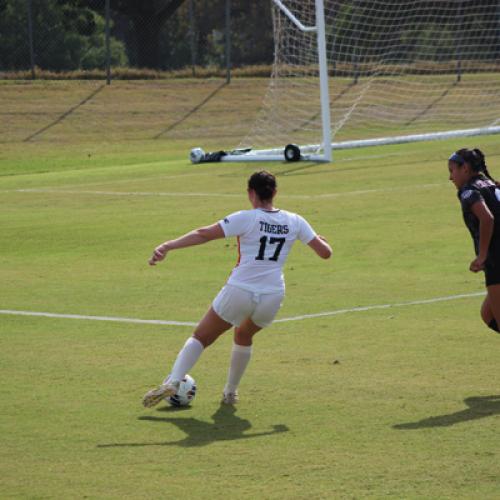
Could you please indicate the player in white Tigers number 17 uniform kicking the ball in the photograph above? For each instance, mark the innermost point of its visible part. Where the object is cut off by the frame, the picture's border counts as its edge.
(255, 289)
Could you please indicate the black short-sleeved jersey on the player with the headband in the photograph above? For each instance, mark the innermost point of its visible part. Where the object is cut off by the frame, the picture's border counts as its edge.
(480, 188)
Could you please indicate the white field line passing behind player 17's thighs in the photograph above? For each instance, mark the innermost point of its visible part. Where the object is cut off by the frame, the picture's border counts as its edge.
(282, 320)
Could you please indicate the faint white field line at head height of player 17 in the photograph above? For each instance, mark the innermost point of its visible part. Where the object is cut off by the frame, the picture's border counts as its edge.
(224, 195)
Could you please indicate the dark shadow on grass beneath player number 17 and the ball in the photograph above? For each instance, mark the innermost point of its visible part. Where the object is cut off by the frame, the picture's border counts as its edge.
(226, 426)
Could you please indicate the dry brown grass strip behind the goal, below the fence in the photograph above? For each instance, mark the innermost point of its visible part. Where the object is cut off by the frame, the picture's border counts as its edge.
(207, 112)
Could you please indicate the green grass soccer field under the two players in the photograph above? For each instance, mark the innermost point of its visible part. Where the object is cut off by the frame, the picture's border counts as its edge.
(399, 402)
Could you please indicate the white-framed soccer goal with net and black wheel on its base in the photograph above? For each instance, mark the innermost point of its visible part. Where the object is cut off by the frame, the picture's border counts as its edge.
(358, 73)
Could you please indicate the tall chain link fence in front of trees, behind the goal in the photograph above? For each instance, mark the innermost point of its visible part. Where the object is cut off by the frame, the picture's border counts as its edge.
(189, 36)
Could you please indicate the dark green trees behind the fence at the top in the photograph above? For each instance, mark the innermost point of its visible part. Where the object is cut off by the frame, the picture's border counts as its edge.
(166, 34)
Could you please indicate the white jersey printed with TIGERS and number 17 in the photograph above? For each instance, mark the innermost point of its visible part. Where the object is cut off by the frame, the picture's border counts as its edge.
(265, 238)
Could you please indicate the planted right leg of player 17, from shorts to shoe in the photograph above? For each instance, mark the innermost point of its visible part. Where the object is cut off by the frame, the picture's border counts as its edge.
(266, 308)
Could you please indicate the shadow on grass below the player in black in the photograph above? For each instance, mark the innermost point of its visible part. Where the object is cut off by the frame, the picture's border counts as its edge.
(478, 407)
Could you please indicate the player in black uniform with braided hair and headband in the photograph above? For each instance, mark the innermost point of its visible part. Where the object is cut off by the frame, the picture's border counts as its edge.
(479, 195)
